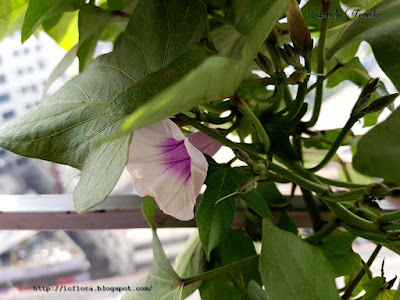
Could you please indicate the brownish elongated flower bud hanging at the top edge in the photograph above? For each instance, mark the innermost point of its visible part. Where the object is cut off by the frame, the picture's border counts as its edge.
(298, 30)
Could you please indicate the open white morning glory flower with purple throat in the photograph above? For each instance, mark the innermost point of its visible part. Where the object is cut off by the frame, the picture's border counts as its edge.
(170, 167)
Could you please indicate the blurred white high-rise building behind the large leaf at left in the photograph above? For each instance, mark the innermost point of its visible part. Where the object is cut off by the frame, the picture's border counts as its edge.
(24, 70)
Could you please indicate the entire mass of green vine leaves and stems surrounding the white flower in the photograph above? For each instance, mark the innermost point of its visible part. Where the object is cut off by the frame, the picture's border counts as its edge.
(194, 62)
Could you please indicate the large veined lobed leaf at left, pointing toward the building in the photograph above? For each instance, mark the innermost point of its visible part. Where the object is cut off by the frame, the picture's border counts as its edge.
(68, 126)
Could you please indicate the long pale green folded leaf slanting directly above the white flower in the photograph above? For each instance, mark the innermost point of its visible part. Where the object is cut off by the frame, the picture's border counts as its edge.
(216, 78)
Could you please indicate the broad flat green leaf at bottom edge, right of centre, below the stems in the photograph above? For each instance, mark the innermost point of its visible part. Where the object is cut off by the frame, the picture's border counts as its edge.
(293, 269)
